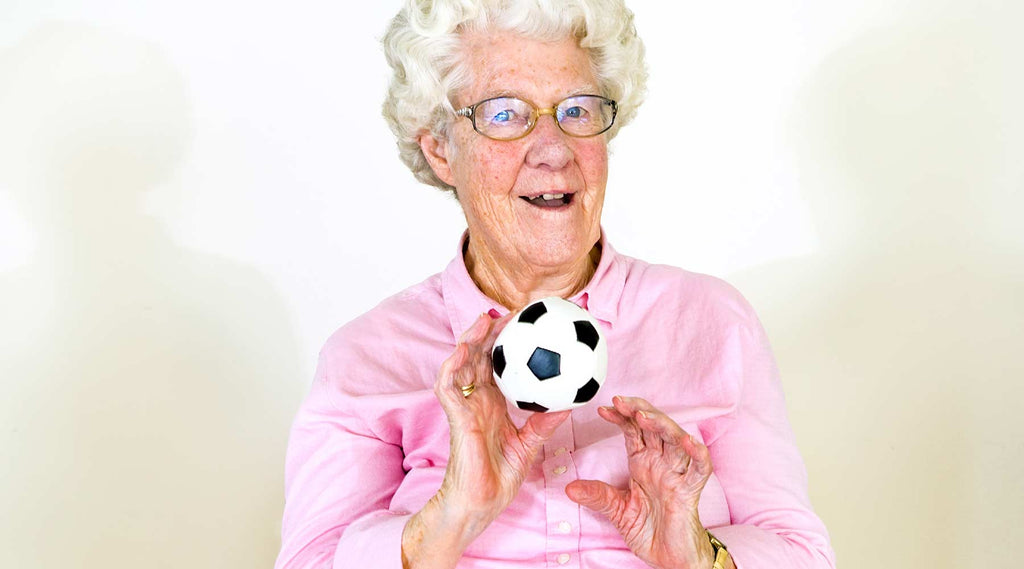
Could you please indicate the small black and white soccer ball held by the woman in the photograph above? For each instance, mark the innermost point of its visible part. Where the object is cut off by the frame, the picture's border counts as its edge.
(550, 358)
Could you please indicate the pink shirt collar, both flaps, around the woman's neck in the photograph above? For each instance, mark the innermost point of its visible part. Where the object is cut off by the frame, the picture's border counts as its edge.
(465, 302)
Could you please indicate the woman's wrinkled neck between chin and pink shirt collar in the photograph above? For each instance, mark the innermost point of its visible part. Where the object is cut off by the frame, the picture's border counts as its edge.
(516, 286)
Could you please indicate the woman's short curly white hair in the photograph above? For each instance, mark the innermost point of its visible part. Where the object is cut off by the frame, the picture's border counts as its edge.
(422, 46)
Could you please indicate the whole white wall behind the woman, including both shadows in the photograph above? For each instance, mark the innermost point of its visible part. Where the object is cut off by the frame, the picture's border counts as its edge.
(195, 195)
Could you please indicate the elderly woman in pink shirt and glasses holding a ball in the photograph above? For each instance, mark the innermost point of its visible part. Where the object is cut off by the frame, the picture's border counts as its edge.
(406, 455)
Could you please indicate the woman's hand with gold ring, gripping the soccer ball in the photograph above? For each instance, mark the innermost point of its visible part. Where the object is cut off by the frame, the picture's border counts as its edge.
(489, 459)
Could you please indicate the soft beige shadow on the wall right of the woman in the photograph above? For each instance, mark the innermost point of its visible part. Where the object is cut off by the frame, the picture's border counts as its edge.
(901, 340)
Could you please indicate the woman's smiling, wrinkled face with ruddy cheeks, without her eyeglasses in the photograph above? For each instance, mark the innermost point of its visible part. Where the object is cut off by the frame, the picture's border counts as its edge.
(495, 180)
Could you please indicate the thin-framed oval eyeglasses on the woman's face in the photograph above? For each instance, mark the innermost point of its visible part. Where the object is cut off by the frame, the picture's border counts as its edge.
(509, 118)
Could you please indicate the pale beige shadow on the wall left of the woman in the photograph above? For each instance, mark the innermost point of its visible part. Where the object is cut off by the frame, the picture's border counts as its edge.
(146, 388)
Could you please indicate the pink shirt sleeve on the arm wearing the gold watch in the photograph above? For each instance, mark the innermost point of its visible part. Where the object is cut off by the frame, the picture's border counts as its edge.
(756, 459)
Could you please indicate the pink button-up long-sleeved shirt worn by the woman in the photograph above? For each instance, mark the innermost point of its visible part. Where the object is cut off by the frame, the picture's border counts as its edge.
(370, 444)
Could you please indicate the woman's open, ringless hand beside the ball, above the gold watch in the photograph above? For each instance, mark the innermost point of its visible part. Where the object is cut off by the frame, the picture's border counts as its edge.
(658, 512)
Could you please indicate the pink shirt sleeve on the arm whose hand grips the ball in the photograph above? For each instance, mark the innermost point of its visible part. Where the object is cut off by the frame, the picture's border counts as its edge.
(339, 480)
